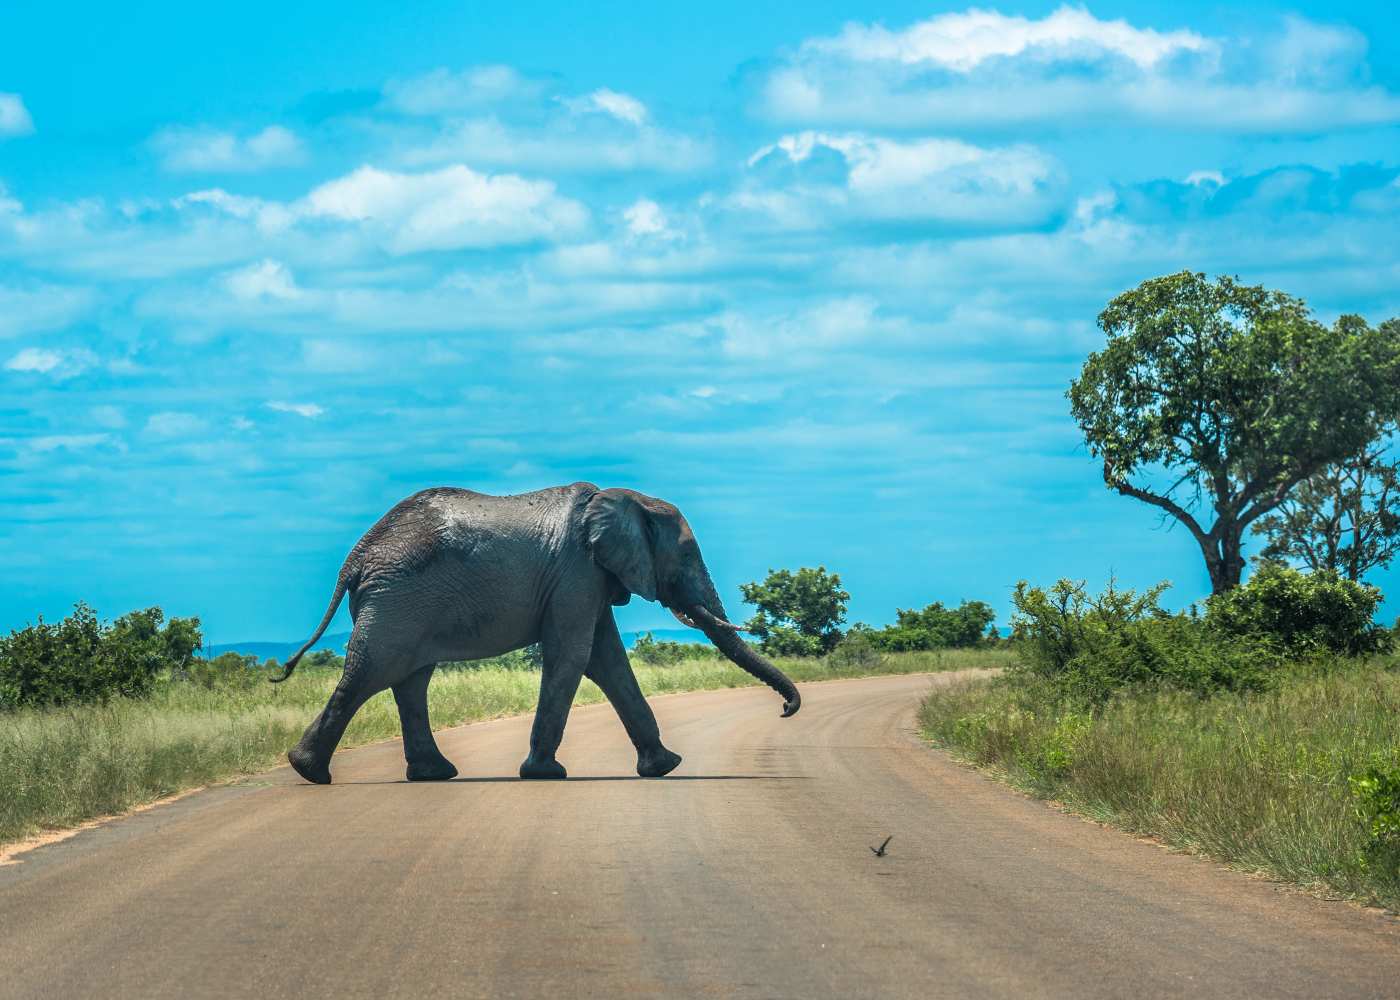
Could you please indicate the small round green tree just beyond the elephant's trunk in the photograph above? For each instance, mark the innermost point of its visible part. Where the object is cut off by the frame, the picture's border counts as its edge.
(800, 616)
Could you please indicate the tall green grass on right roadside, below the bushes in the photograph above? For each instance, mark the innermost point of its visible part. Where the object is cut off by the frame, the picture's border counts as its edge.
(1259, 782)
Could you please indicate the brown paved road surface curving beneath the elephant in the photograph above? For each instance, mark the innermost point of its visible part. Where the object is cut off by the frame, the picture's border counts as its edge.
(747, 873)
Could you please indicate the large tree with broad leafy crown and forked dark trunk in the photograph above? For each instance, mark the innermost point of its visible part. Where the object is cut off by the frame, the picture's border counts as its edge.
(1235, 396)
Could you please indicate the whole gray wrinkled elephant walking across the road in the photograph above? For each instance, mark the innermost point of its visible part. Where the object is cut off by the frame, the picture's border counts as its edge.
(454, 575)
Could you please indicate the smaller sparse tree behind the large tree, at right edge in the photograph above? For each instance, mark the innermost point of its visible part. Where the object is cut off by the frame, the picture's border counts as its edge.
(1343, 520)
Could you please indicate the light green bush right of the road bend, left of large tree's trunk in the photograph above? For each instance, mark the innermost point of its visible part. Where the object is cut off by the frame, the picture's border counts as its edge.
(1088, 648)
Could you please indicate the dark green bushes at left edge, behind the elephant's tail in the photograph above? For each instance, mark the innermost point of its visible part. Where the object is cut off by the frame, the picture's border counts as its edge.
(82, 660)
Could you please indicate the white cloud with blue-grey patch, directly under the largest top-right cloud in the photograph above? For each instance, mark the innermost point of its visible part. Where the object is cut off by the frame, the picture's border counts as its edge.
(810, 179)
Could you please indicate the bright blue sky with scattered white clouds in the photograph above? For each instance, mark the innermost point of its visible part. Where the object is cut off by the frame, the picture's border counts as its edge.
(818, 274)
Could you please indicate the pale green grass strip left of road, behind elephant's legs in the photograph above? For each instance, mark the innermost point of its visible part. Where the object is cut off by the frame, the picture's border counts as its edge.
(62, 767)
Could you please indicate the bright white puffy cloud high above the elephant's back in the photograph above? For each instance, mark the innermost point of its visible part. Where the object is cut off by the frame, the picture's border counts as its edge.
(449, 209)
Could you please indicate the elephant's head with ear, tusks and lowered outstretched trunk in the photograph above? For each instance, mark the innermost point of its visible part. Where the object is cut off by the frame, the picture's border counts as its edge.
(650, 550)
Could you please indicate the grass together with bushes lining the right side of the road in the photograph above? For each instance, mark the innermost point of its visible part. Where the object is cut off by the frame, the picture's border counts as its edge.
(1276, 754)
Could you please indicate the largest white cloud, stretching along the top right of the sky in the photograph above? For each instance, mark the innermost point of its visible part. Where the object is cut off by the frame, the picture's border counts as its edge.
(988, 69)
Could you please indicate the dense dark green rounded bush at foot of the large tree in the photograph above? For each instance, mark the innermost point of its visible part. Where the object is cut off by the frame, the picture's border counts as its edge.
(1303, 613)
